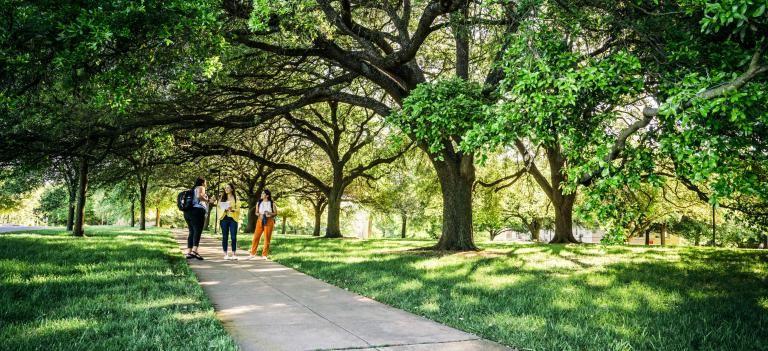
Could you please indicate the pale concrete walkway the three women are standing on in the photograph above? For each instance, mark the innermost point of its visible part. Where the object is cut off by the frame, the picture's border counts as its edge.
(267, 306)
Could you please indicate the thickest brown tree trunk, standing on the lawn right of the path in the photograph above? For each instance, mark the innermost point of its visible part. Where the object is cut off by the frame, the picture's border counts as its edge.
(456, 174)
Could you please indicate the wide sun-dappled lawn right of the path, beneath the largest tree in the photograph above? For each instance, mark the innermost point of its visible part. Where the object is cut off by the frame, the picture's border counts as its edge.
(555, 297)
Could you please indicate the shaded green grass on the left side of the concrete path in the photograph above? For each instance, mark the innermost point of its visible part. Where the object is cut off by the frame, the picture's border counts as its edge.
(117, 289)
